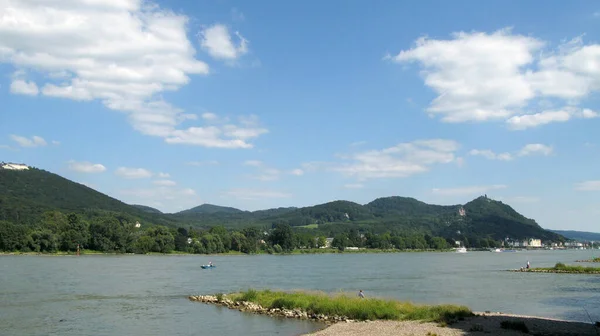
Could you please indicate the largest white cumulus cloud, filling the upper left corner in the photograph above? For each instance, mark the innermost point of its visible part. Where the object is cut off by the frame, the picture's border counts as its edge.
(122, 53)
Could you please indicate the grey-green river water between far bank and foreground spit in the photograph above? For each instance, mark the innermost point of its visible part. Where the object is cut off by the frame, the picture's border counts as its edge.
(147, 295)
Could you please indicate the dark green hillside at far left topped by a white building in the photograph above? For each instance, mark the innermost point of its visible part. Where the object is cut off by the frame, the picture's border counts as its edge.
(26, 194)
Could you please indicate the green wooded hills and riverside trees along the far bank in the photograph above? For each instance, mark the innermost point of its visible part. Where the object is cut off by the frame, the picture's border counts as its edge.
(34, 204)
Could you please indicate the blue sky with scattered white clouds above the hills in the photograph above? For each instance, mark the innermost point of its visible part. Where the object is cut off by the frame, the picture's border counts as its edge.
(265, 104)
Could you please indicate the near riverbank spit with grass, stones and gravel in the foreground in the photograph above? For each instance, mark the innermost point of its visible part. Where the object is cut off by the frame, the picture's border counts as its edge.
(352, 316)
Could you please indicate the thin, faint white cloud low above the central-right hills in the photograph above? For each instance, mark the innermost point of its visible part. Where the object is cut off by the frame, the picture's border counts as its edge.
(402, 160)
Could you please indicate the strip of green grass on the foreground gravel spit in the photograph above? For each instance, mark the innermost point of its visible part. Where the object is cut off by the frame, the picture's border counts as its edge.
(353, 307)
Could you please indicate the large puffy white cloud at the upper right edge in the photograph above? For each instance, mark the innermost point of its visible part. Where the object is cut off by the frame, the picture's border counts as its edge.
(479, 76)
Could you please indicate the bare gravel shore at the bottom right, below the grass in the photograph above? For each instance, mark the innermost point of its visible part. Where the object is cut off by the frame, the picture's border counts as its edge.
(483, 324)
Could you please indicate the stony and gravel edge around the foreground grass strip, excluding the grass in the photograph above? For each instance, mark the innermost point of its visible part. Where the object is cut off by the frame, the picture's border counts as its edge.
(494, 323)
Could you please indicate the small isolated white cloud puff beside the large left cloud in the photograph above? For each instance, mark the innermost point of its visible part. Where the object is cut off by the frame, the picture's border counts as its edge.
(217, 41)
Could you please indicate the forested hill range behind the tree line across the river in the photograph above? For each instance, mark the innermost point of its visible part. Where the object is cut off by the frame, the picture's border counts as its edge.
(25, 195)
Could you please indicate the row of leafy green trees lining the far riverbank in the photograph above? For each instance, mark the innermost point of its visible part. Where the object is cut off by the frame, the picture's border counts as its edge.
(118, 233)
